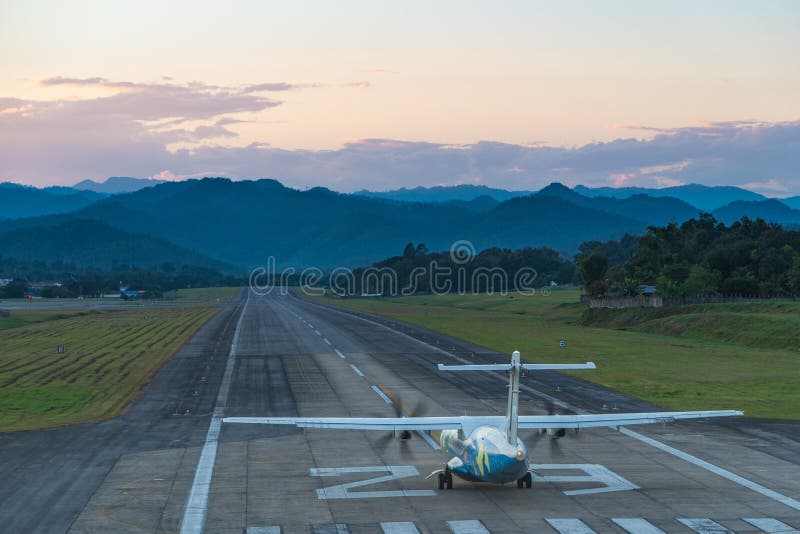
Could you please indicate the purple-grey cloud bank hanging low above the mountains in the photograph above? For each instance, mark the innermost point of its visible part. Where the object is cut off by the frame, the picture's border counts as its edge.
(131, 131)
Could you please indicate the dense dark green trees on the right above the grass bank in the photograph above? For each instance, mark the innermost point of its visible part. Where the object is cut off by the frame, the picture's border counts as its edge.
(701, 257)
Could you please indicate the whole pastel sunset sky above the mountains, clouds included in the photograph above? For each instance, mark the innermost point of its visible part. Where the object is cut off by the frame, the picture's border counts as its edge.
(382, 95)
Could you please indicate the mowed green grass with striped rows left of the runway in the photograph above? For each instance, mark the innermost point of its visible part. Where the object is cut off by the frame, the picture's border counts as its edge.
(109, 357)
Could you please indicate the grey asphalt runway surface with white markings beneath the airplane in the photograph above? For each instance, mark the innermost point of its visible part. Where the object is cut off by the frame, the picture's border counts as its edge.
(168, 464)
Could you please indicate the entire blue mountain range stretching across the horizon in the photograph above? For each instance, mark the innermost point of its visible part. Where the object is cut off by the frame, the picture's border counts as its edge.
(237, 224)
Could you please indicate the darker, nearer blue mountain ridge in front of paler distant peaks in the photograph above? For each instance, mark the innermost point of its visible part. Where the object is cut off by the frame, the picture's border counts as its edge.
(246, 222)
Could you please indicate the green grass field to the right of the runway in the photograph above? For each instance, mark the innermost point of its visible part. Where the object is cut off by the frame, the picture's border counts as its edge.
(716, 356)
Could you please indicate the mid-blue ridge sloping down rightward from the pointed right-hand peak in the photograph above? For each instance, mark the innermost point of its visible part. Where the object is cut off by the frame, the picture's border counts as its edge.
(644, 208)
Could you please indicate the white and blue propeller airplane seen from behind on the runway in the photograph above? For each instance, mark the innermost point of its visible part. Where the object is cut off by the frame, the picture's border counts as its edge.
(488, 448)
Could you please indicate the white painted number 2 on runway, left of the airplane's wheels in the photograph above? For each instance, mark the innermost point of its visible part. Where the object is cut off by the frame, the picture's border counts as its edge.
(342, 491)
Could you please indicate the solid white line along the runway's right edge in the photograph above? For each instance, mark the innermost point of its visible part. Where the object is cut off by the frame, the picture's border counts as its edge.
(724, 473)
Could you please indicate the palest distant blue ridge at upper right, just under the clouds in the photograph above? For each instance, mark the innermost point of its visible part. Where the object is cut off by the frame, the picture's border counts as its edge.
(707, 198)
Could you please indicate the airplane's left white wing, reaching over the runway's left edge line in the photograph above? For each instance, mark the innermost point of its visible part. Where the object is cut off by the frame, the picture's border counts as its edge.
(363, 423)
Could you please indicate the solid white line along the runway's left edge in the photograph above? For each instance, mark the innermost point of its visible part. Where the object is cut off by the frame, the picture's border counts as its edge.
(194, 512)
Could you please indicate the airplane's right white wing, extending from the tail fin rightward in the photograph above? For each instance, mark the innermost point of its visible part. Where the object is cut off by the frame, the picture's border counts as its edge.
(615, 420)
